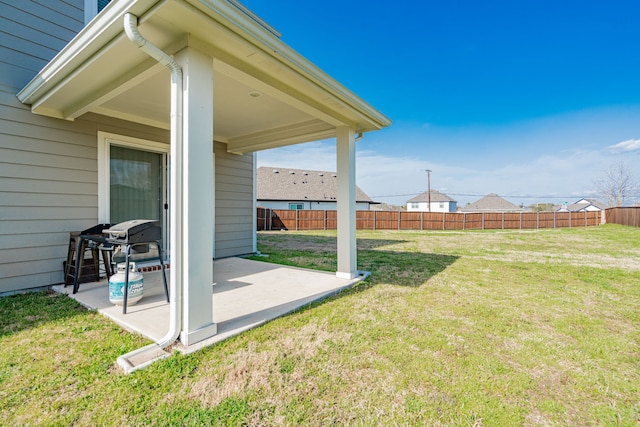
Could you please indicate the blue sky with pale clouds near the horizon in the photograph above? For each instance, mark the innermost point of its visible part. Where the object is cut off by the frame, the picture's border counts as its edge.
(532, 100)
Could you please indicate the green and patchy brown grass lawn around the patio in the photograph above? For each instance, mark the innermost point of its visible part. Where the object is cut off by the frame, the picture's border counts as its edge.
(476, 328)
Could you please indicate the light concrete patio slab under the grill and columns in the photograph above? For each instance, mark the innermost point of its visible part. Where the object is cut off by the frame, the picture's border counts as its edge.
(245, 294)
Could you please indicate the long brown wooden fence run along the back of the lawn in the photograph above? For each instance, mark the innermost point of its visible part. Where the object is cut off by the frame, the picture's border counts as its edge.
(281, 219)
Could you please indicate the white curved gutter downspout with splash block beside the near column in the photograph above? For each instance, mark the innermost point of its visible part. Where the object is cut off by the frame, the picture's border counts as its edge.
(175, 307)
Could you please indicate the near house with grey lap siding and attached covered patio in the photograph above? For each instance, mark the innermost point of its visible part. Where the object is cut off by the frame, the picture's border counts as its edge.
(96, 111)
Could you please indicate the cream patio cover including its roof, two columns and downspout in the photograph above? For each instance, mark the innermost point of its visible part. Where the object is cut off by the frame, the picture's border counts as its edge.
(206, 70)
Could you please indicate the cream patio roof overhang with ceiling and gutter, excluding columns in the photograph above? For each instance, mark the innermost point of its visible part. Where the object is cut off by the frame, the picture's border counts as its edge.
(265, 94)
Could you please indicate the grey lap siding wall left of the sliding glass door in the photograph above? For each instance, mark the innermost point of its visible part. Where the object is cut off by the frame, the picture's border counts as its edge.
(45, 183)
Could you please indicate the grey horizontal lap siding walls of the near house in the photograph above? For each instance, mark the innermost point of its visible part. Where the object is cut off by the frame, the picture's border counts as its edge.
(49, 167)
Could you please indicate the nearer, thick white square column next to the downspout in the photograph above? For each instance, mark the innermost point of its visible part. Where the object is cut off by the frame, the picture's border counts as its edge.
(197, 197)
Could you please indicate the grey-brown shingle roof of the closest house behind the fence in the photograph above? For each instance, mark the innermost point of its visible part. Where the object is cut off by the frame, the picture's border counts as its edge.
(300, 185)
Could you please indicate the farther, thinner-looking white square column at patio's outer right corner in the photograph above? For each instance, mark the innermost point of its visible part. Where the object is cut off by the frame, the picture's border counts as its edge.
(346, 201)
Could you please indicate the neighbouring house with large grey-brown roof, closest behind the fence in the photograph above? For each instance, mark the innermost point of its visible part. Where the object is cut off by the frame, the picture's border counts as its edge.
(286, 188)
